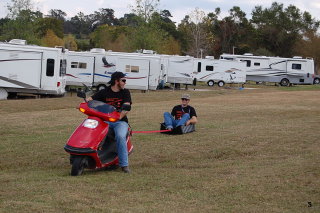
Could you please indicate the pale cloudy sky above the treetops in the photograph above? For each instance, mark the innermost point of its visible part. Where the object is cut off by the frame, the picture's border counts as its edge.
(177, 8)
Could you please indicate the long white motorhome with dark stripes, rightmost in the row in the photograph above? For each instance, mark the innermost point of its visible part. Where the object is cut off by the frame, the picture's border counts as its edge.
(285, 71)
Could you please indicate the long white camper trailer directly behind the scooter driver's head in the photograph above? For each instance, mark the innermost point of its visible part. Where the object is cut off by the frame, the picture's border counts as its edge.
(94, 68)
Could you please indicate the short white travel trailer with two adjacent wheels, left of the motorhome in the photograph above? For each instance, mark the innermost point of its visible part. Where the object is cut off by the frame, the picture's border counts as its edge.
(219, 72)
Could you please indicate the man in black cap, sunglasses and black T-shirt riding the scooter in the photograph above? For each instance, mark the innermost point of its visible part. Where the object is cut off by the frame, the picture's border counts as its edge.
(119, 97)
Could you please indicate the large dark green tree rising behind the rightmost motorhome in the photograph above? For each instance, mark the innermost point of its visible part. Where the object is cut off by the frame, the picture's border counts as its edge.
(279, 29)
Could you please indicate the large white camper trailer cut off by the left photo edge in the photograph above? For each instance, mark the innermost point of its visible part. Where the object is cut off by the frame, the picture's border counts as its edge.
(31, 69)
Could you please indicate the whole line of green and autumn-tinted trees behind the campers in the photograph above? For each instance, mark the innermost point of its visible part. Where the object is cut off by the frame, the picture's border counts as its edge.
(274, 31)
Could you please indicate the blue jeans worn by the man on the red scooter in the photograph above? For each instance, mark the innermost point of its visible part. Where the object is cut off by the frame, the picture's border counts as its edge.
(121, 130)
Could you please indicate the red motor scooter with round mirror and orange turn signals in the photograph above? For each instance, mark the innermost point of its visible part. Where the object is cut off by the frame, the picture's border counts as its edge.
(92, 145)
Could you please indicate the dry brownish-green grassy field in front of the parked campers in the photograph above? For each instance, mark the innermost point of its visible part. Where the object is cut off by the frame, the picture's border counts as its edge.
(254, 150)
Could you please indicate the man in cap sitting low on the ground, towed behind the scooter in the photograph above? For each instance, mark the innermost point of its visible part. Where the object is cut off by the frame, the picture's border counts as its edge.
(183, 114)
